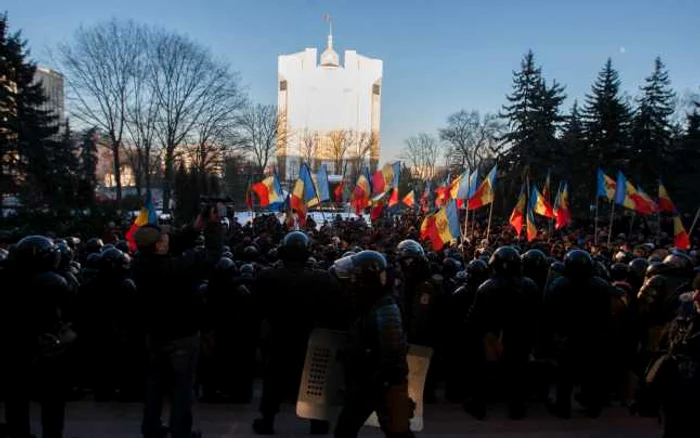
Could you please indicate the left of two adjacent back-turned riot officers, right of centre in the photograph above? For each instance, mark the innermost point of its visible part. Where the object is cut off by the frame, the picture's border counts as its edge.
(504, 318)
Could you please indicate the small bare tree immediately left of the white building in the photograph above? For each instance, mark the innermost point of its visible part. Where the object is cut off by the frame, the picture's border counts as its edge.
(258, 133)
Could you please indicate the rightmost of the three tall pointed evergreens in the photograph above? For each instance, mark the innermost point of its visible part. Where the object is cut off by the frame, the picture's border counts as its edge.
(652, 129)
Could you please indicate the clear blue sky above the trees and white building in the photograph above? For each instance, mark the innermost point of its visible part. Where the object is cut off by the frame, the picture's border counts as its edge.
(439, 56)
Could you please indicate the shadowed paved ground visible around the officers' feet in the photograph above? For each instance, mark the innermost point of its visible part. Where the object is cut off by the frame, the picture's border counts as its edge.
(119, 420)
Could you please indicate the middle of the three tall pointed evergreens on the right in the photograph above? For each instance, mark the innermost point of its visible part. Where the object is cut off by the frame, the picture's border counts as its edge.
(607, 119)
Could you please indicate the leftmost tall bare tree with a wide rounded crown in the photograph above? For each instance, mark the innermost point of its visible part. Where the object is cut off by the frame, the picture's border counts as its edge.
(99, 67)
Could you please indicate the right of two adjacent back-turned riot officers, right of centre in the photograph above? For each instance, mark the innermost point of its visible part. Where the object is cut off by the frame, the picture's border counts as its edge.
(577, 319)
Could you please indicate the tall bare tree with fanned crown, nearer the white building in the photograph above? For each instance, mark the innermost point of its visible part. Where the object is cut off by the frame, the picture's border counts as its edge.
(185, 80)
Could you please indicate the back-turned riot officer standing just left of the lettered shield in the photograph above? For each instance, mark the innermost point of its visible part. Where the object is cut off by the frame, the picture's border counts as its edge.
(292, 300)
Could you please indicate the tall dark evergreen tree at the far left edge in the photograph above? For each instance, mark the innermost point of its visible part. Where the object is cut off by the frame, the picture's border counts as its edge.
(28, 131)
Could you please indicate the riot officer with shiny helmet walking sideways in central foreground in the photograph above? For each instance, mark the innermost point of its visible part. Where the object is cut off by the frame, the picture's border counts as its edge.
(377, 371)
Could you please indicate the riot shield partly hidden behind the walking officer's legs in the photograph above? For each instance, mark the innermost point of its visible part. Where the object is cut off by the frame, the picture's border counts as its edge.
(418, 359)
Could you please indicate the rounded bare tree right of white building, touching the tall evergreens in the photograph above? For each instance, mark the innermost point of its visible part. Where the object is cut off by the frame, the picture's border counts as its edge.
(471, 138)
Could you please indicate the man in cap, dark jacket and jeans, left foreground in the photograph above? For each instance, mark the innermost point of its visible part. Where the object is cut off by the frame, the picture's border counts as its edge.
(171, 307)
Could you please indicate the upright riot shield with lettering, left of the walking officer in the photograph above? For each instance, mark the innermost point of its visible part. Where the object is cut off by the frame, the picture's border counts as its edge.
(323, 379)
